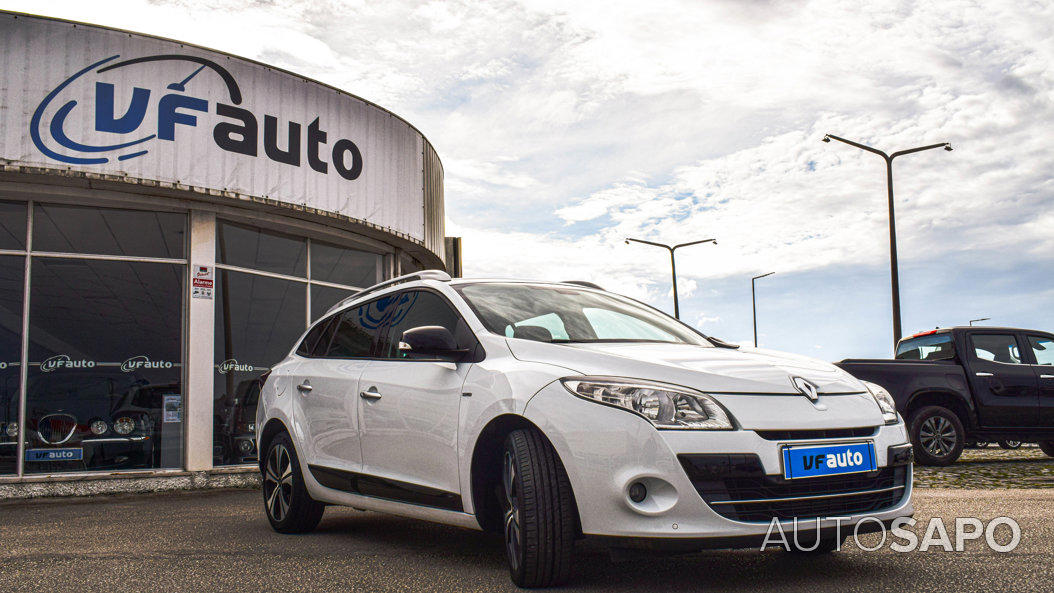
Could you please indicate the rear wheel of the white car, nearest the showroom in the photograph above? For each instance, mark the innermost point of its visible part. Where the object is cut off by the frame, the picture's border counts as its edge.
(286, 501)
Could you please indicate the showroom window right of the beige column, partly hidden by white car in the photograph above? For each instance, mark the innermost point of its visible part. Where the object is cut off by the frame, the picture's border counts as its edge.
(269, 287)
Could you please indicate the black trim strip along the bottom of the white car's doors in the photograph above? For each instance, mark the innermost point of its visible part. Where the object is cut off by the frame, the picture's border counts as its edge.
(387, 489)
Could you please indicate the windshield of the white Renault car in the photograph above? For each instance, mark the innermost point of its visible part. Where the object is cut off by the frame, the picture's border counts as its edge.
(565, 314)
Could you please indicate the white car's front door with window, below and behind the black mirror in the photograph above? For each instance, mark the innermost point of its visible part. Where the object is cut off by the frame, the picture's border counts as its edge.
(411, 411)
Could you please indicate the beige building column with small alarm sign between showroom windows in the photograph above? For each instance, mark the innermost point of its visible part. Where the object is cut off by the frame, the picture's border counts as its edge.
(201, 322)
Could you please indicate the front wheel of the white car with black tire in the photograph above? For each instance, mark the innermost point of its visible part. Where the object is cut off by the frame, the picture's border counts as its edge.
(539, 520)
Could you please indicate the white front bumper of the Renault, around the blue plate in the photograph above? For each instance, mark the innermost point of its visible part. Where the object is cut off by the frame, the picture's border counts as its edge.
(607, 450)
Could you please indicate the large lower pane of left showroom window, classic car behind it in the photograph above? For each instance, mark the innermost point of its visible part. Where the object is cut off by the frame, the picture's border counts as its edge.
(104, 383)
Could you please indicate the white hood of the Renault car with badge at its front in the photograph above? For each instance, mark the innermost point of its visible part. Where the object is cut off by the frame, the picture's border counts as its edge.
(755, 386)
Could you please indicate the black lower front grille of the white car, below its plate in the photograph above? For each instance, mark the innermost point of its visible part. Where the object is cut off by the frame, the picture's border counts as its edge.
(736, 487)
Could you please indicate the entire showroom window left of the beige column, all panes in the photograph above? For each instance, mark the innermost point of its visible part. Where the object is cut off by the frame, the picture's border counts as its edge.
(104, 387)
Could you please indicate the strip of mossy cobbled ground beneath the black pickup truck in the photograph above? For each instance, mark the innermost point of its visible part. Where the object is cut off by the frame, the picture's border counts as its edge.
(992, 468)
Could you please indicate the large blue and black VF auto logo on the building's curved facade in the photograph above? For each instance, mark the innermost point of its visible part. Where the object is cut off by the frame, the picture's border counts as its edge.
(239, 130)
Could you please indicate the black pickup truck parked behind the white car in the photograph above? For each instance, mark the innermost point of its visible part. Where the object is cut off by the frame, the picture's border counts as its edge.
(961, 385)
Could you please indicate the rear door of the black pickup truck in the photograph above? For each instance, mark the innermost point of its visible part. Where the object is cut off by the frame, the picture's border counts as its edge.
(1005, 386)
